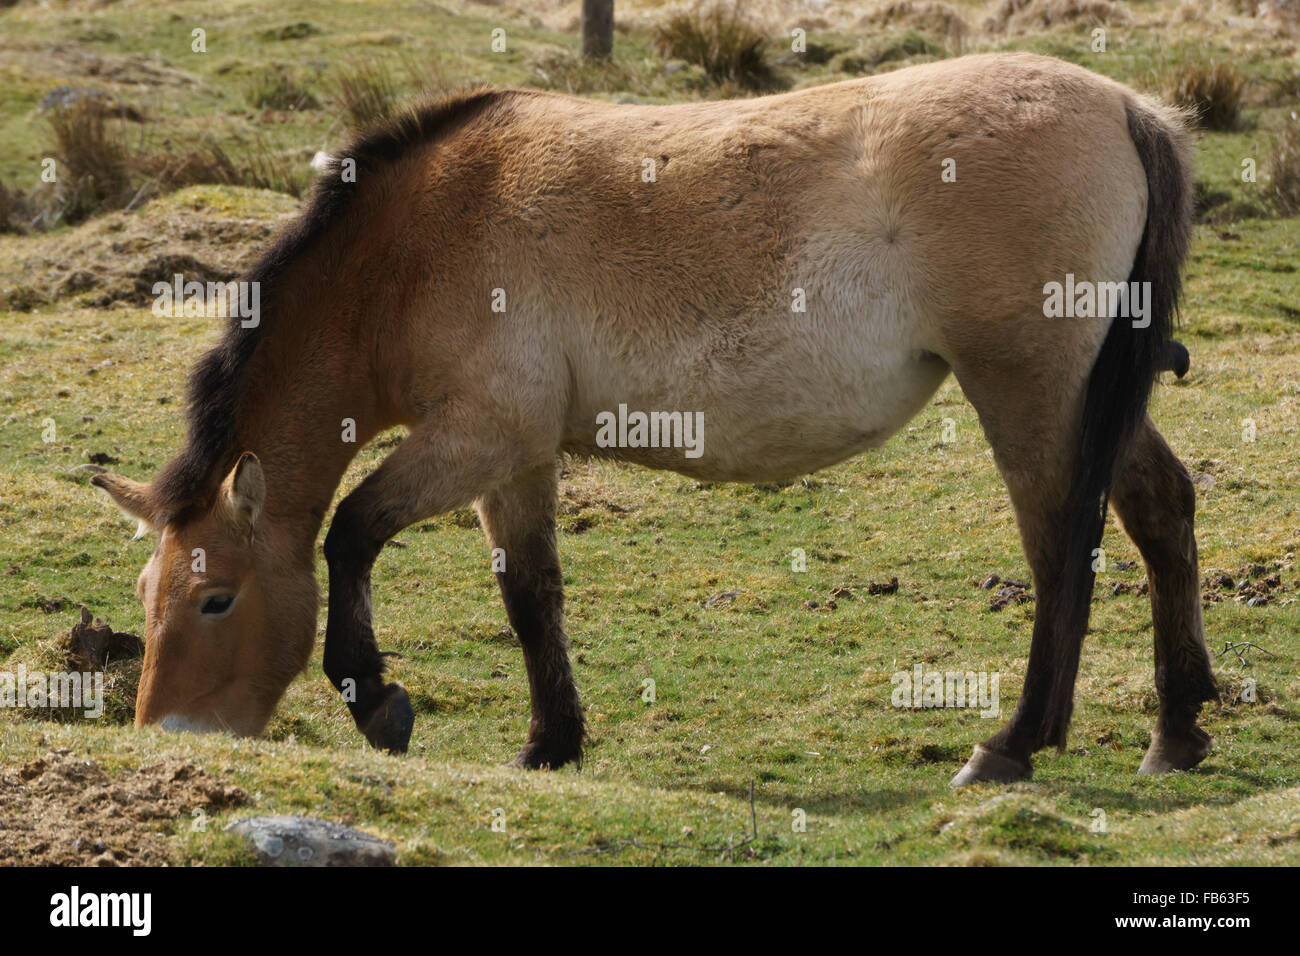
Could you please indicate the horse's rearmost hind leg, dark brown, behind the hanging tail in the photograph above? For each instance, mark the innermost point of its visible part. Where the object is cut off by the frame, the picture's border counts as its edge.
(1155, 499)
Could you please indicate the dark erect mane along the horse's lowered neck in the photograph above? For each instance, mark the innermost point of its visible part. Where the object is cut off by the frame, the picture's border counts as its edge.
(188, 483)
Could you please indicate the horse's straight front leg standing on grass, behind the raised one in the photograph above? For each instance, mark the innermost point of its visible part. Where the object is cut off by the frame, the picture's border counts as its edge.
(519, 520)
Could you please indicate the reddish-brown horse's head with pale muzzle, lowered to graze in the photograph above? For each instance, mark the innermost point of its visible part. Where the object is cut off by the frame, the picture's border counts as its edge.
(229, 620)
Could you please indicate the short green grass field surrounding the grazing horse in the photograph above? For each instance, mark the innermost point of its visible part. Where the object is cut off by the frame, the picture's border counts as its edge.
(761, 690)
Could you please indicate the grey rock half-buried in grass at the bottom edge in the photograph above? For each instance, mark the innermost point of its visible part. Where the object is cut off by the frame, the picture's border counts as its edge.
(310, 842)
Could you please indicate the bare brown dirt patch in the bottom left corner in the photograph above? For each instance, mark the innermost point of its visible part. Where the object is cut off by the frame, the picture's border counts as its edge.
(62, 811)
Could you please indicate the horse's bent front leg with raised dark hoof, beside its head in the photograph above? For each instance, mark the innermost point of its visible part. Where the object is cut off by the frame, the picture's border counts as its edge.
(434, 471)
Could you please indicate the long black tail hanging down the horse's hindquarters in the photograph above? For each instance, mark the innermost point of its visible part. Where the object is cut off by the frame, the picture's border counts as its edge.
(1120, 386)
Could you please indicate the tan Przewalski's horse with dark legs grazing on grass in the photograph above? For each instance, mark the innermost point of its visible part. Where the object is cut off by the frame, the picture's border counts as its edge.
(651, 258)
